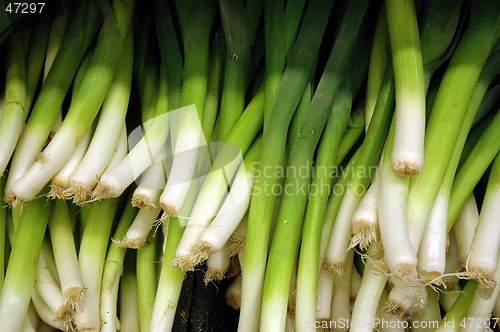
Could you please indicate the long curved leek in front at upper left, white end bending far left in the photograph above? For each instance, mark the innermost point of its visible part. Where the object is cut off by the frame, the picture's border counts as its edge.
(87, 103)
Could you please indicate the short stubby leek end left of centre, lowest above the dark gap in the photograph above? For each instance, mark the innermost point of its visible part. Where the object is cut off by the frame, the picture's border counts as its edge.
(137, 233)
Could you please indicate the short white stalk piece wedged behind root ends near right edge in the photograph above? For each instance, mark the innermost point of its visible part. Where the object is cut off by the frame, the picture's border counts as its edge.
(464, 229)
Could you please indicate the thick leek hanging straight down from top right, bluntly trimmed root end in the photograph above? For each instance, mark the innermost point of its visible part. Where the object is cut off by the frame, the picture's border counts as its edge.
(408, 150)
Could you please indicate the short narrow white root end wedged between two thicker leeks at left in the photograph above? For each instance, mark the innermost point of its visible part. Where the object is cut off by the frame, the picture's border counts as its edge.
(60, 182)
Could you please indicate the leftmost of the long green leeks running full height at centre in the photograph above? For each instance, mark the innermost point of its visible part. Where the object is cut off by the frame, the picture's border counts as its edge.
(272, 155)
